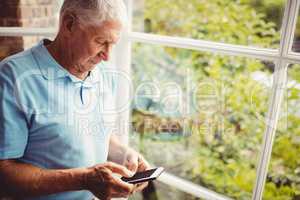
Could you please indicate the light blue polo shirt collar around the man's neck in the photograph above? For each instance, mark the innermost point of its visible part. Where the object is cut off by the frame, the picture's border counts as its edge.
(51, 70)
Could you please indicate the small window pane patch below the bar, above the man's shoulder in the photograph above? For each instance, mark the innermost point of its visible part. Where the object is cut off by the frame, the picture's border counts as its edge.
(13, 45)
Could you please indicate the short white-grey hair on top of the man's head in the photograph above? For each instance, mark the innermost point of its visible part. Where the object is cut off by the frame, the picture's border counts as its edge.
(95, 12)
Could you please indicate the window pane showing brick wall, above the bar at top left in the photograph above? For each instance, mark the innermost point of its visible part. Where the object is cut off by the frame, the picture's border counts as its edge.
(37, 14)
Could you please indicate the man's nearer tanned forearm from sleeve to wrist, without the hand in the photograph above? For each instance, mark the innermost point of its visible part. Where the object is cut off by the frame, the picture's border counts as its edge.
(20, 179)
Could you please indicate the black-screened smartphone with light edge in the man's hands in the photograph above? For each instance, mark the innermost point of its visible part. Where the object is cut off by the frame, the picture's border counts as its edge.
(144, 176)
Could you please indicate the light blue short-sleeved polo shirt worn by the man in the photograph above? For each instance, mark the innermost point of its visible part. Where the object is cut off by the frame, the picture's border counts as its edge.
(50, 118)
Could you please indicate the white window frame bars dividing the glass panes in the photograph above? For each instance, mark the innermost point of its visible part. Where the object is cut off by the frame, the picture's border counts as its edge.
(282, 57)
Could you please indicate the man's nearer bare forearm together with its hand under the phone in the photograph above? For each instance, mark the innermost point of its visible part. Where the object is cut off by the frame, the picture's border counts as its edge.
(25, 180)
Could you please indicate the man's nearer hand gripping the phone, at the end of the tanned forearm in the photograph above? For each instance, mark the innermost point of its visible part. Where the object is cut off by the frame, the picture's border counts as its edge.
(104, 184)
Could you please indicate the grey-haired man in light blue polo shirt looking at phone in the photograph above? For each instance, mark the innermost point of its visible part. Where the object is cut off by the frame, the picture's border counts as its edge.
(54, 142)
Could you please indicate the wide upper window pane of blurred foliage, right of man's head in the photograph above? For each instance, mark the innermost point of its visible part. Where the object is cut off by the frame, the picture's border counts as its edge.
(244, 22)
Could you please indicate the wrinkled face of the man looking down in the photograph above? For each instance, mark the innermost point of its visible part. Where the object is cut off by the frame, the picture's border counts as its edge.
(92, 44)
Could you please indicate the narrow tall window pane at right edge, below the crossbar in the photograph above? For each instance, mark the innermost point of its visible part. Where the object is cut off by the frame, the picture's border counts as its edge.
(283, 181)
